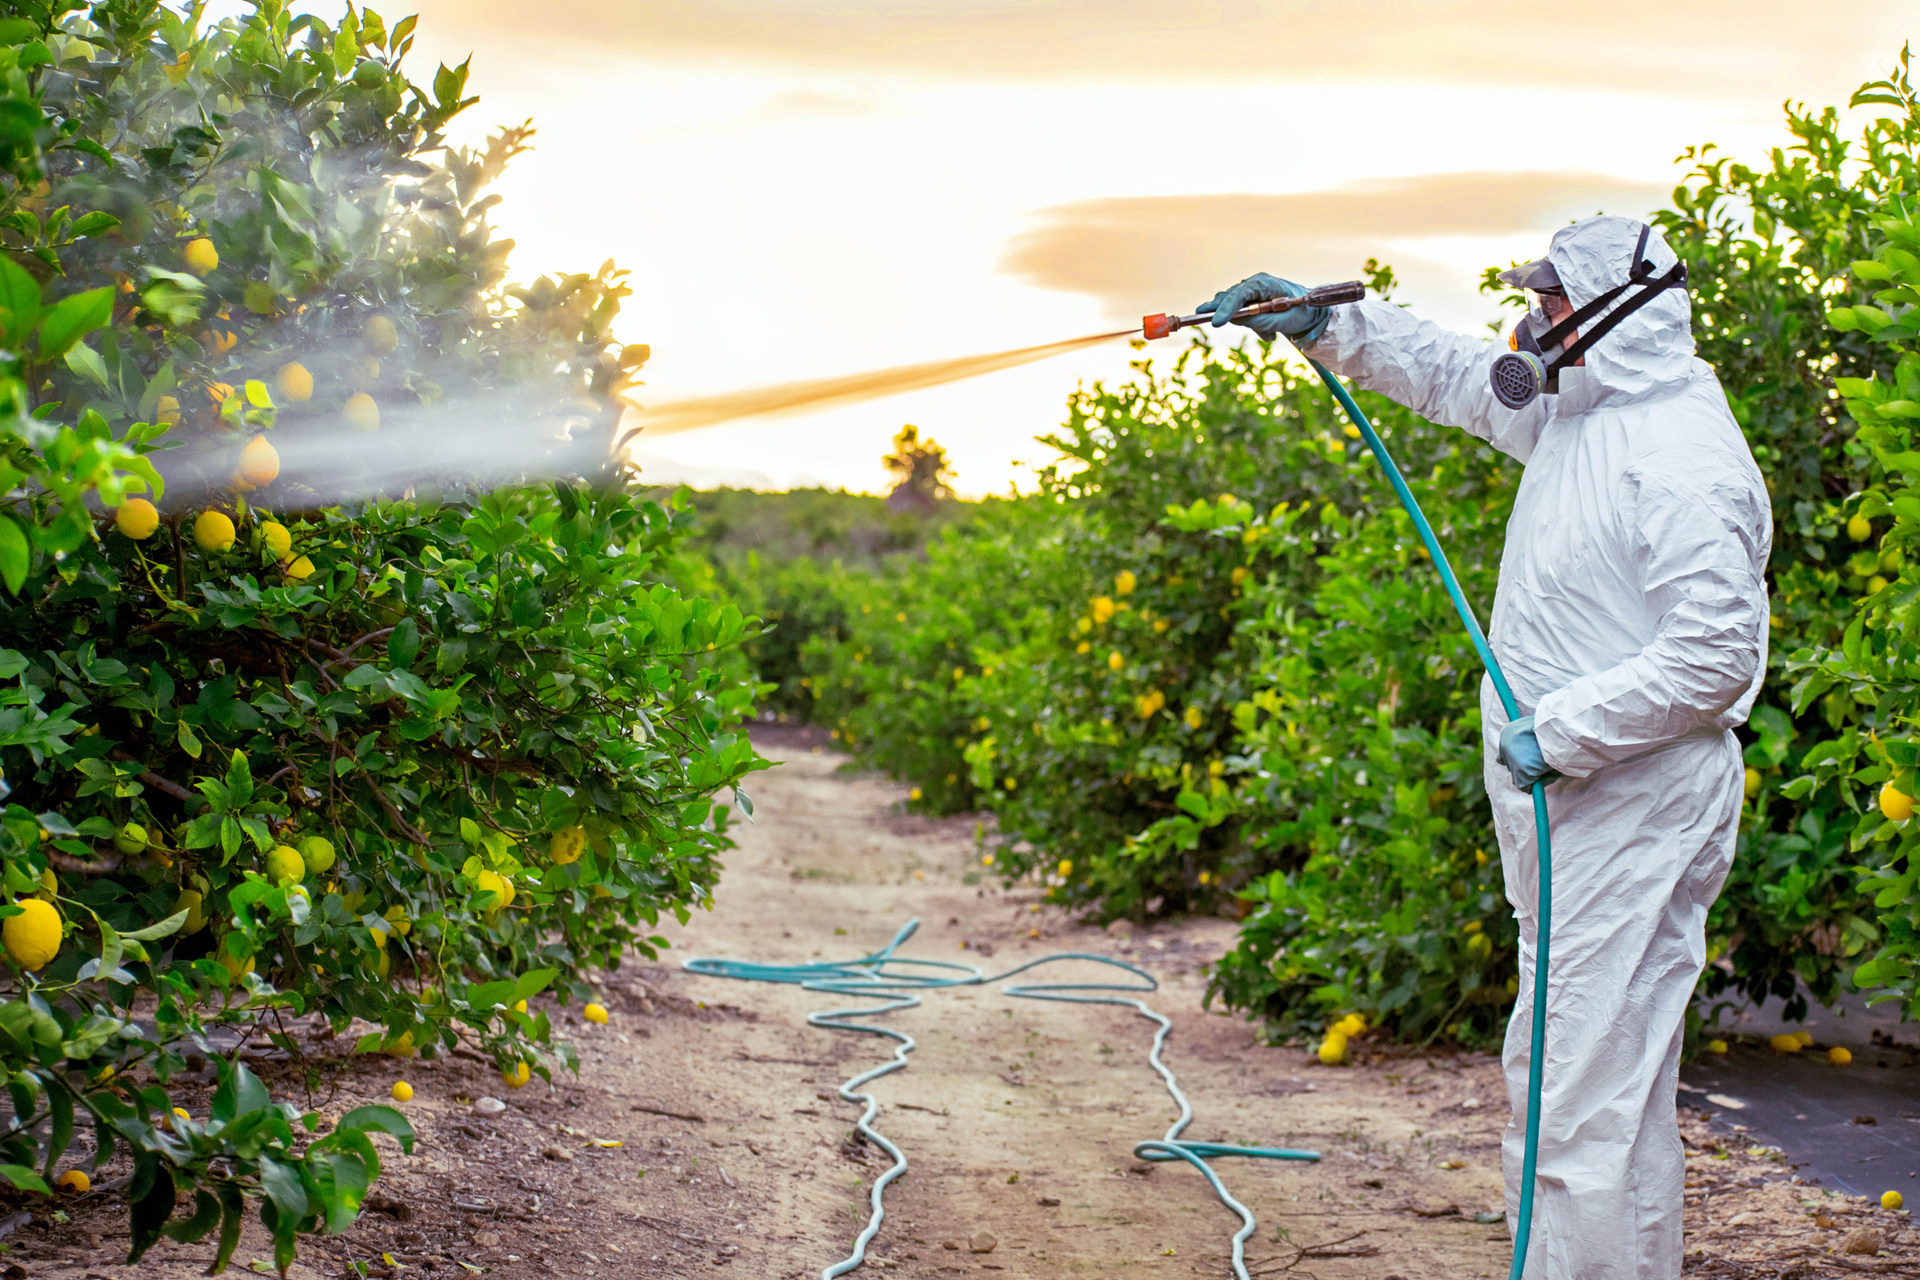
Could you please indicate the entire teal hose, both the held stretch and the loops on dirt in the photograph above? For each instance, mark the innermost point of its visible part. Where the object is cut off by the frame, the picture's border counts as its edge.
(896, 980)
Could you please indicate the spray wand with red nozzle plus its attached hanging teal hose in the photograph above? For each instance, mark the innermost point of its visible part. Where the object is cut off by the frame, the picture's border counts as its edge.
(1355, 291)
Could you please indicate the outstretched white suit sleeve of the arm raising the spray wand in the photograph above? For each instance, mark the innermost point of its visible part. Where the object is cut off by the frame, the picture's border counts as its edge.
(1433, 371)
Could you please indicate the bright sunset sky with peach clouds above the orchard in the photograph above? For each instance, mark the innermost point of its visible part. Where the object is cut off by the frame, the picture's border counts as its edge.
(811, 187)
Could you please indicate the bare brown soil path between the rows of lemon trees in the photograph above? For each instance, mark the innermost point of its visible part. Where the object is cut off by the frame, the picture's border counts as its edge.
(1019, 1118)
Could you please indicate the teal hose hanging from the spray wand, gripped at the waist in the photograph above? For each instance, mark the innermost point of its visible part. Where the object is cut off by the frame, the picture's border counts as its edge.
(1537, 1055)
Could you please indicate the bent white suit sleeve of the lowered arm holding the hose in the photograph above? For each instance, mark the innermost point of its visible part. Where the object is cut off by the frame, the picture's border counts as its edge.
(1702, 579)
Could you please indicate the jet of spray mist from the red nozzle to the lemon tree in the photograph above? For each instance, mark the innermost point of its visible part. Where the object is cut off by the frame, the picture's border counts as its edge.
(481, 444)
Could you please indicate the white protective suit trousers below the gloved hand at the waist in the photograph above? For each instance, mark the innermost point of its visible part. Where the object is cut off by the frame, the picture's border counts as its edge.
(1641, 853)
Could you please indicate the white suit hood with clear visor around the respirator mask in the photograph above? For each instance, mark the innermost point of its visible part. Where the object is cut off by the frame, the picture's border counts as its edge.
(1646, 354)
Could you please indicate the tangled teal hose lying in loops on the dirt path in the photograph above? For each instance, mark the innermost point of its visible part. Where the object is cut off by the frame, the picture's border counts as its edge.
(898, 980)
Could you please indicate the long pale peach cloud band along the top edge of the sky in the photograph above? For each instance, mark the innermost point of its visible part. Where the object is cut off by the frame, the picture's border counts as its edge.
(1696, 49)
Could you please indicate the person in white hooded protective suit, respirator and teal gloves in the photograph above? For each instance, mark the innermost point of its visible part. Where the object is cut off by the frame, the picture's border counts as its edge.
(1631, 623)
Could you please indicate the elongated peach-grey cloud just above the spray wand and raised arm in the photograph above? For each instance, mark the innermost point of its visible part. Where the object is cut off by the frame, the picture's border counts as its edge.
(1153, 252)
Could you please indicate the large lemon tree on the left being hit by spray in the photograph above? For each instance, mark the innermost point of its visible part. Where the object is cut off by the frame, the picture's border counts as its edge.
(299, 744)
